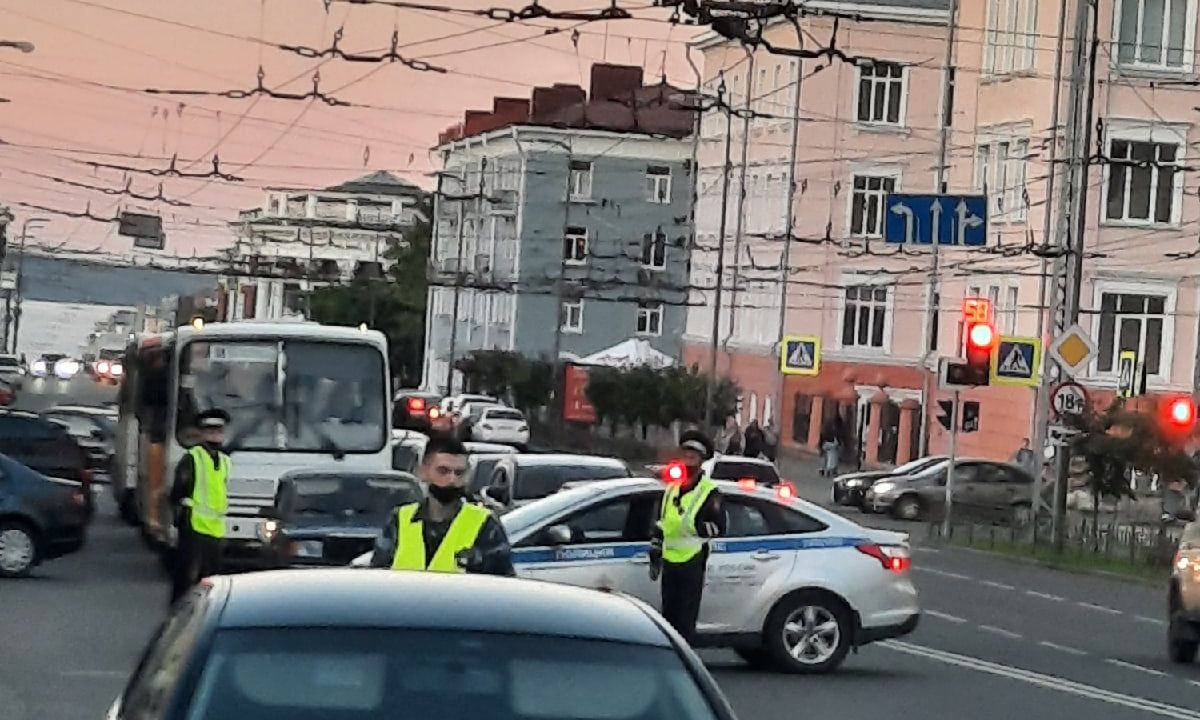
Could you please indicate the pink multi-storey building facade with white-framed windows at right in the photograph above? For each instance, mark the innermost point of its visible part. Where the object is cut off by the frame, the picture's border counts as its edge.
(874, 127)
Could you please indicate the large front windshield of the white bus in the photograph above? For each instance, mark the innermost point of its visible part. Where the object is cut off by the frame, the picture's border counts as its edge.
(286, 397)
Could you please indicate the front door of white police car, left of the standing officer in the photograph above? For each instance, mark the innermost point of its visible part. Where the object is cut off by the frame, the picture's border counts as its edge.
(608, 549)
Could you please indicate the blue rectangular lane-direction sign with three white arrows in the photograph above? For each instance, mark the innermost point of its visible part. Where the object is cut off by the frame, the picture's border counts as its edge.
(952, 220)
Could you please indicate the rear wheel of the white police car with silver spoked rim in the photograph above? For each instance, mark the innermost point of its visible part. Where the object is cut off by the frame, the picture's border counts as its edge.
(809, 633)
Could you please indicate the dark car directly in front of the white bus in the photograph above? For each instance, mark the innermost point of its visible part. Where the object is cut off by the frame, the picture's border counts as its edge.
(331, 519)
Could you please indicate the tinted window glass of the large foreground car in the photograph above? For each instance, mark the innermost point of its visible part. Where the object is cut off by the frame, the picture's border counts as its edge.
(338, 674)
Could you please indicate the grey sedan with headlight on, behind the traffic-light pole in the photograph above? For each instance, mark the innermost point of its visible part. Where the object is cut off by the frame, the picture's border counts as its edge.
(982, 488)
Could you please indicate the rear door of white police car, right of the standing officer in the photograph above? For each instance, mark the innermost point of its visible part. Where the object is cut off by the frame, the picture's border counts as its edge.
(747, 566)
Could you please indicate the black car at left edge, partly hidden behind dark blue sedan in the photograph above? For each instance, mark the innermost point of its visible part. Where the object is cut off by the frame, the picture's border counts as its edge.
(45, 447)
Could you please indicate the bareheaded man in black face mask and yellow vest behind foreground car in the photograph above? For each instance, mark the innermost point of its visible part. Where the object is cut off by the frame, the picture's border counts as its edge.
(447, 533)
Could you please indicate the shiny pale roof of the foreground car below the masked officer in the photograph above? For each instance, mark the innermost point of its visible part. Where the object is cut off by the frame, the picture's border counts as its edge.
(379, 598)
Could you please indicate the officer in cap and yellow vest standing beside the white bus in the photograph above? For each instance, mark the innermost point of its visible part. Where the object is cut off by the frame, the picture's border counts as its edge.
(200, 500)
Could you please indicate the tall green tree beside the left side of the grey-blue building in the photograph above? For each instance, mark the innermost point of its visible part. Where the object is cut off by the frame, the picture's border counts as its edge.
(394, 305)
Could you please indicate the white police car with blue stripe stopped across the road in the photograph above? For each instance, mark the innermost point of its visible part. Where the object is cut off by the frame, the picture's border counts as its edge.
(790, 585)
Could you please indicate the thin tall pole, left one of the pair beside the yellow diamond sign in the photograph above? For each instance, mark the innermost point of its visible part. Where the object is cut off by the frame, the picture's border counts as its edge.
(1042, 404)
